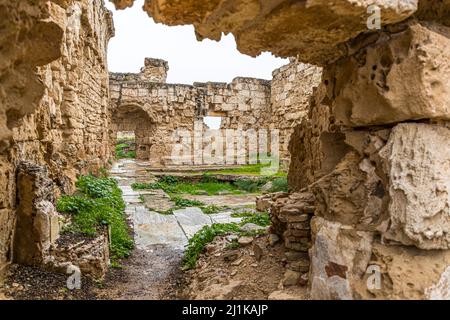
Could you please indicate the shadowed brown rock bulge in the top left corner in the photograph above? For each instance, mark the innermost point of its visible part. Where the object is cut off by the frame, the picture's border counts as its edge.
(21, 89)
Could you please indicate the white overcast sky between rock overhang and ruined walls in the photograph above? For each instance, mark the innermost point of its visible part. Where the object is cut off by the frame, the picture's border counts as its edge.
(137, 37)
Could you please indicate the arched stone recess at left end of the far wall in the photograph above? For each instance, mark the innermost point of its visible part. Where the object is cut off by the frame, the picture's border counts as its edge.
(132, 118)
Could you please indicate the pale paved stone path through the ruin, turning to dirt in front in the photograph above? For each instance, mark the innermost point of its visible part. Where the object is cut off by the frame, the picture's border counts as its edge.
(154, 269)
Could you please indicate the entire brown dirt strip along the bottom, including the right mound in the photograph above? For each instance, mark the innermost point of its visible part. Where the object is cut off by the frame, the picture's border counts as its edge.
(251, 272)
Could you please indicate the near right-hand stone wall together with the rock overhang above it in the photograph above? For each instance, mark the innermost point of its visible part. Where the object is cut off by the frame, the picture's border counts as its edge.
(373, 151)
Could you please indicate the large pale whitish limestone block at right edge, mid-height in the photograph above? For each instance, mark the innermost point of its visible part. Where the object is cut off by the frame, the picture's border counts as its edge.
(416, 161)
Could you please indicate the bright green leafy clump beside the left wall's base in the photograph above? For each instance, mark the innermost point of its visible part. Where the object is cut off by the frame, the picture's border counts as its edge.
(98, 203)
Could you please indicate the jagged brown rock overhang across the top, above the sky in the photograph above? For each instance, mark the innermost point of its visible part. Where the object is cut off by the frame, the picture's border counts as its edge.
(275, 25)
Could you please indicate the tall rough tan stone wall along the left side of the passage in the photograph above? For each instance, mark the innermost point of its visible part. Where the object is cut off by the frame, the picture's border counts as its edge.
(54, 92)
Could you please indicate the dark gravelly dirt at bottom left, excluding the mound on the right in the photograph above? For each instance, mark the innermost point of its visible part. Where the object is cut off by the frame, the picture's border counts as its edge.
(153, 274)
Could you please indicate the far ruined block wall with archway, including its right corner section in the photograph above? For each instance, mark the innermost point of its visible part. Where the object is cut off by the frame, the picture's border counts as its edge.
(155, 111)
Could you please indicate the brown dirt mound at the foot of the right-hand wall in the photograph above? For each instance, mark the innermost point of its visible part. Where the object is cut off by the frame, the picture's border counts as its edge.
(252, 272)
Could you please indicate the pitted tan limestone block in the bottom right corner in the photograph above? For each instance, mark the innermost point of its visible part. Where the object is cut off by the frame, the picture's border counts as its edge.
(400, 272)
